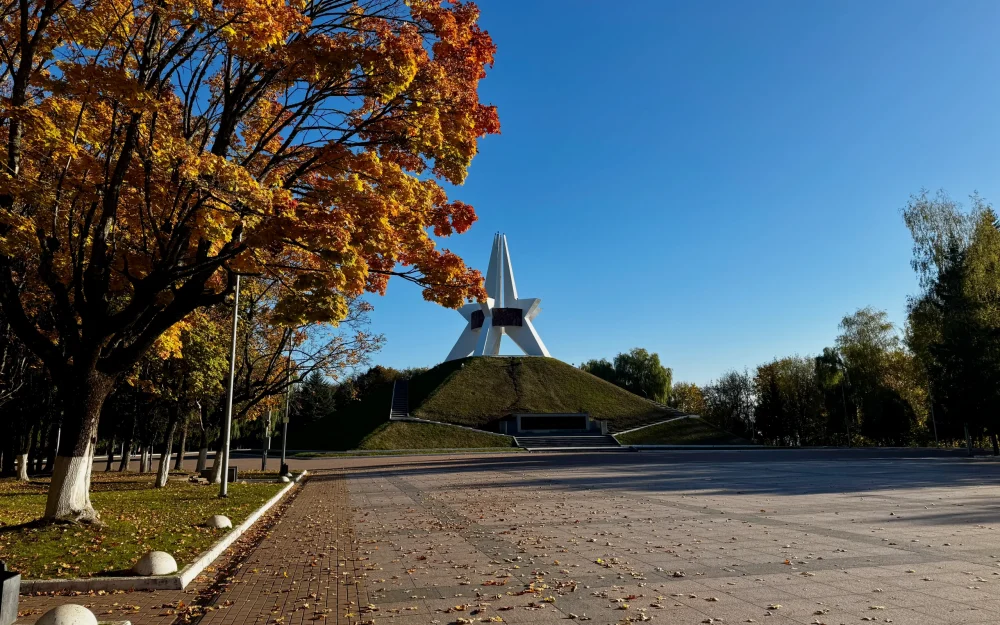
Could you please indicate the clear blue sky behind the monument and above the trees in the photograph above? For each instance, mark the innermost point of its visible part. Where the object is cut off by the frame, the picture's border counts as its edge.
(719, 182)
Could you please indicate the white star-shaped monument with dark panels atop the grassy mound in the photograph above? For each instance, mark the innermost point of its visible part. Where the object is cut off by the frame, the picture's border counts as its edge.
(503, 312)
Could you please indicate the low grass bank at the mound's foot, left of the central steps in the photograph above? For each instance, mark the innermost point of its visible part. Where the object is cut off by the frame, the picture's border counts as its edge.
(410, 435)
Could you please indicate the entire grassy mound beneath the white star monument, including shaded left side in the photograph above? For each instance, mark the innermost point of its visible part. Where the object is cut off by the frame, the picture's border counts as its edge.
(476, 392)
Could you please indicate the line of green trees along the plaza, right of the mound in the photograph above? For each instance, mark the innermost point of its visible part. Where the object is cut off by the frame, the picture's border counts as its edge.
(936, 380)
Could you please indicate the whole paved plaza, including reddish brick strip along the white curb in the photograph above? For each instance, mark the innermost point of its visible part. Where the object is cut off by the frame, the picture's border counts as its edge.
(690, 537)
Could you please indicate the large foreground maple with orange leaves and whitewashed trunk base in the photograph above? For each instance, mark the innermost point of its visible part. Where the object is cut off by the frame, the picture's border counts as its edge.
(153, 151)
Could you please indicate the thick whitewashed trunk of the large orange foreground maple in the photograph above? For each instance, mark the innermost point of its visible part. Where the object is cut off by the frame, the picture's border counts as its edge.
(69, 492)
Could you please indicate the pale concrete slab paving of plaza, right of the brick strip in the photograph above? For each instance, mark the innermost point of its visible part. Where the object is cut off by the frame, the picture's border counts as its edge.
(830, 540)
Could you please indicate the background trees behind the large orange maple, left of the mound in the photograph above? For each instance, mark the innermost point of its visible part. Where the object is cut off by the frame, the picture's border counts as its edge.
(173, 401)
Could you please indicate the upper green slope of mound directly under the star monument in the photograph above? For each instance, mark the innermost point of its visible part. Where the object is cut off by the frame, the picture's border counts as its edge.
(478, 392)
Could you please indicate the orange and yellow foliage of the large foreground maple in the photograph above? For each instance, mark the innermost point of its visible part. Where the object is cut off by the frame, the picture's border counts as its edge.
(332, 212)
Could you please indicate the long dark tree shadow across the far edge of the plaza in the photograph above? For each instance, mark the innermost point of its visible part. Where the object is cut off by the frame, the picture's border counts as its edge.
(779, 473)
